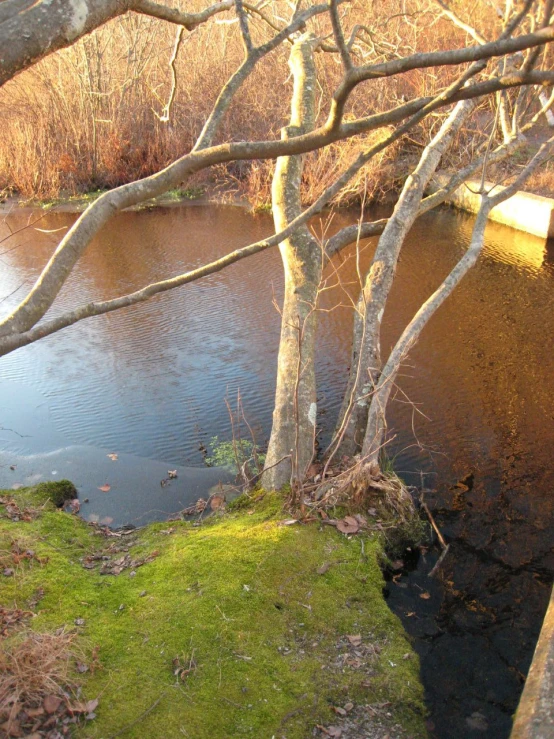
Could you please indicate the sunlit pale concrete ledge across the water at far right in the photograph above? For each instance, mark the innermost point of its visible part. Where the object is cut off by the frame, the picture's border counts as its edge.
(524, 211)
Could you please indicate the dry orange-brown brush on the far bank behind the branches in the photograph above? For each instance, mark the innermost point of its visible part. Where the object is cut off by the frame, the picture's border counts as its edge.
(95, 115)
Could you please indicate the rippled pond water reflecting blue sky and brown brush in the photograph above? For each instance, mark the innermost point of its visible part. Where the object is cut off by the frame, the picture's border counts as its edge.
(474, 402)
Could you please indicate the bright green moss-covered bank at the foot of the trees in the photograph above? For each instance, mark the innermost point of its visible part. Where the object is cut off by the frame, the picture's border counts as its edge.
(240, 626)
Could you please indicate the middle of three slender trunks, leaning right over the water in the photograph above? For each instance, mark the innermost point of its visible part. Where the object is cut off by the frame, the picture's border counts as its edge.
(365, 364)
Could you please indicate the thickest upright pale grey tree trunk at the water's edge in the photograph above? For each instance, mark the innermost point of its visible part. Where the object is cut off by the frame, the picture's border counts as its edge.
(291, 444)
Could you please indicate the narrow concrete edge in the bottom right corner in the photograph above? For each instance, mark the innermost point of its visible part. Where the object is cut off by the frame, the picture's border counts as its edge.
(535, 714)
